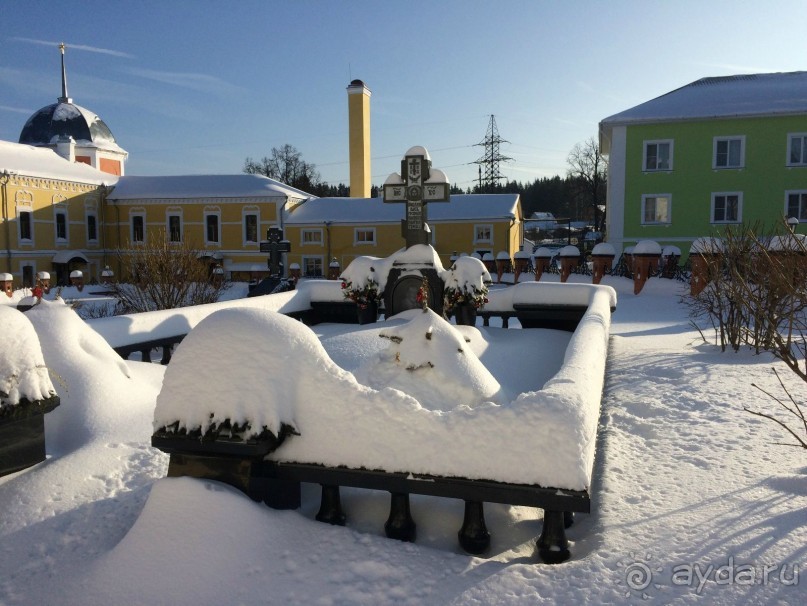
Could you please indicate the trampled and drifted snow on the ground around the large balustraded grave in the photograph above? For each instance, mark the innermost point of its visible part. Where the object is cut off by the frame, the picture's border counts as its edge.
(692, 503)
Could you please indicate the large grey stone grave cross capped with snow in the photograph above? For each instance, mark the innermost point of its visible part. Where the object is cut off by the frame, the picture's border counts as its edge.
(417, 185)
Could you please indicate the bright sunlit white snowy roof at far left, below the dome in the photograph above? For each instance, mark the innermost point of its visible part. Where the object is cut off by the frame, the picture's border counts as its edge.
(44, 162)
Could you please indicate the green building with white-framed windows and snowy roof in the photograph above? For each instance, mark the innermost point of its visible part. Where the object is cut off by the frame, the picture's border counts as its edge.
(716, 152)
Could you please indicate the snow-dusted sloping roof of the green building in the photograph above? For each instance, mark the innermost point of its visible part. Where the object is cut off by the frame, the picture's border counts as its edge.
(722, 97)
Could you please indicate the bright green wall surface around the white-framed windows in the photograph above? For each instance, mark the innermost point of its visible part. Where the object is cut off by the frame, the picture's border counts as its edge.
(763, 180)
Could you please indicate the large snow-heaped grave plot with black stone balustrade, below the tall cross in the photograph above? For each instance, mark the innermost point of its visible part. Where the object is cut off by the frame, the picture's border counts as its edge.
(406, 406)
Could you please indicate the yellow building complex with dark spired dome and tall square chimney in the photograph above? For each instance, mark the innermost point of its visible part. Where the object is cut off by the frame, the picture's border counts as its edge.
(66, 205)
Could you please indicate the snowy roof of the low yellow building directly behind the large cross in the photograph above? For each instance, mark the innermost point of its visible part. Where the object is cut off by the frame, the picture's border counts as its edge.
(476, 207)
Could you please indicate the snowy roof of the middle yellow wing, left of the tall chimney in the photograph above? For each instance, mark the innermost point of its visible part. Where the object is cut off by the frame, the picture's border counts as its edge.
(202, 186)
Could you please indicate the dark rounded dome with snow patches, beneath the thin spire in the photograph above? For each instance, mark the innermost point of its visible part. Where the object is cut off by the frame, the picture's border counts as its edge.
(62, 120)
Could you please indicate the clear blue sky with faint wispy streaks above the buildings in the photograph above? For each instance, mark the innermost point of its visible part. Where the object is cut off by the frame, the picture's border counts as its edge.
(196, 87)
